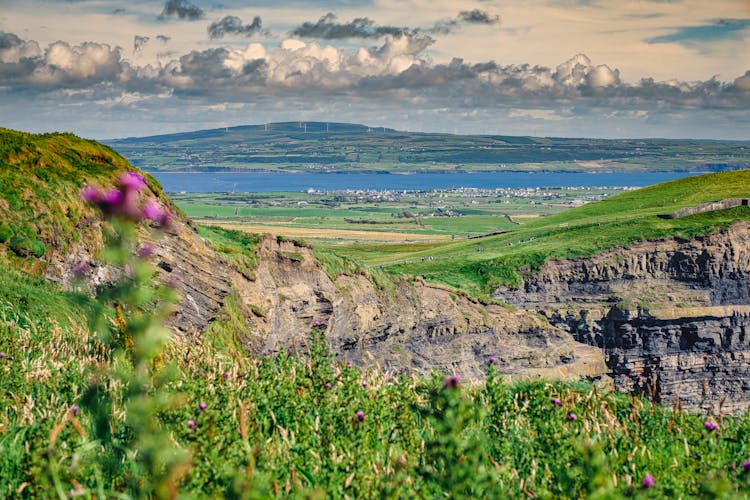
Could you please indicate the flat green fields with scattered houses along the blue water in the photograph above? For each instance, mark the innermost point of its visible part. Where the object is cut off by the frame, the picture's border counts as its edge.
(448, 213)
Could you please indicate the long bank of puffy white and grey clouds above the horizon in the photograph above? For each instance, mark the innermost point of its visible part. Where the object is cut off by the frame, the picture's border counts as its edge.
(397, 73)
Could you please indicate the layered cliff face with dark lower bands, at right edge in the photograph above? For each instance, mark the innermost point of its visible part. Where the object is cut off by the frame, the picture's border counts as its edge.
(671, 317)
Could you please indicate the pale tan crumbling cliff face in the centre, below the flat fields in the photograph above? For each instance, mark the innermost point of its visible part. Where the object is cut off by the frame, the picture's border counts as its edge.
(414, 326)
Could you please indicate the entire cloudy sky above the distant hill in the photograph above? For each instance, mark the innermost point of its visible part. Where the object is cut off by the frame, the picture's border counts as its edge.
(569, 68)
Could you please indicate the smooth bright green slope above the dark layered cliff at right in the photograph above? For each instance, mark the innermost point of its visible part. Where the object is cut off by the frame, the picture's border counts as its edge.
(478, 265)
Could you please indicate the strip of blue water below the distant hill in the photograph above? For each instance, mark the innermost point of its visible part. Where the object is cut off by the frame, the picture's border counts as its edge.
(208, 182)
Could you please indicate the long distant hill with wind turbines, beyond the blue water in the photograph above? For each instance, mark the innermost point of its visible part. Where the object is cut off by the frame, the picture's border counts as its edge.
(345, 147)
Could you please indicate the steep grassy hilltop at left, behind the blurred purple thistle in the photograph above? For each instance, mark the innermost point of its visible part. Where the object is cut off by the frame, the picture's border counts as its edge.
(40, 180)
